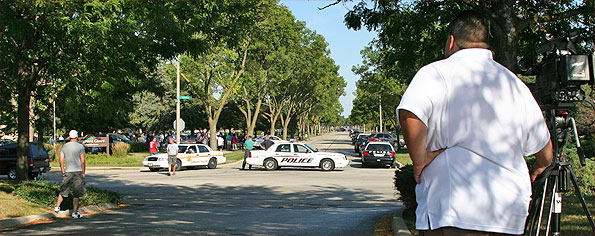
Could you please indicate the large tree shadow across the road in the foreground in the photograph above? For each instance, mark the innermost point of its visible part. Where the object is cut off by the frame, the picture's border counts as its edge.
(162, 209)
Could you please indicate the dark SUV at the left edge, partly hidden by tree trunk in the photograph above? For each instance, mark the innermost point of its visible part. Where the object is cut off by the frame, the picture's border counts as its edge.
(39, 160)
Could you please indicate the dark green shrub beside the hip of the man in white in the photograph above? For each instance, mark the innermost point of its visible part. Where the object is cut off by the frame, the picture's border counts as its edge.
(405, 184)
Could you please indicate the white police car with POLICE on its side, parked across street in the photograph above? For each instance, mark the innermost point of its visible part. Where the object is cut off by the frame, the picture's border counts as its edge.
(285, 154)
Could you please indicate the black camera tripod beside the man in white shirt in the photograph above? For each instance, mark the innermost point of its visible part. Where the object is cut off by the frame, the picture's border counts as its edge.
(555, 180)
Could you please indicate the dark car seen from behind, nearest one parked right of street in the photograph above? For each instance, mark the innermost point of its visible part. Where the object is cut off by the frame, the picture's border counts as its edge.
(378, 154)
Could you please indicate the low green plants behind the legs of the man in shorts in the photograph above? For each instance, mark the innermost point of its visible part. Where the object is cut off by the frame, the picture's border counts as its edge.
(45, 194)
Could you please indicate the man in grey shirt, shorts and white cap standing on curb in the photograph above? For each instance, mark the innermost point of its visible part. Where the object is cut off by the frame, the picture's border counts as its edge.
(73, 153)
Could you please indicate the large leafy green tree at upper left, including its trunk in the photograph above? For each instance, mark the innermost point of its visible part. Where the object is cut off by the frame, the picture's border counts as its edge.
(101, 49)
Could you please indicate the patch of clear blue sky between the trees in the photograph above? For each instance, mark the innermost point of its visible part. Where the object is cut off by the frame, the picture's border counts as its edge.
(345, 44)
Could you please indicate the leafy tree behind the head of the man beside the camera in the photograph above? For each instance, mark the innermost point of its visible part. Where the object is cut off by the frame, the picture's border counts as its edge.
(412, 34)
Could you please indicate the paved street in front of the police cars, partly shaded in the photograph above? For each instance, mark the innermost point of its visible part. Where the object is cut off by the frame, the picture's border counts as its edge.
(228, 200)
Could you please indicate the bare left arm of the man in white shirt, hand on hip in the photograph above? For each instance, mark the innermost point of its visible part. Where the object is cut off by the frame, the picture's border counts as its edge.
(414, 133)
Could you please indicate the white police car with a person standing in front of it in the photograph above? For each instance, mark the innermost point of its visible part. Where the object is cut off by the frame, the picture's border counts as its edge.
(190, 156)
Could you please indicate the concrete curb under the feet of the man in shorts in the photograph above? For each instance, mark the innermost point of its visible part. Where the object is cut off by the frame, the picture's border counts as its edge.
(23, 220)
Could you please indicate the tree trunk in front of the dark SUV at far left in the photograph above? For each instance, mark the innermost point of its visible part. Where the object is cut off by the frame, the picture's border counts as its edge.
(24, 99)
